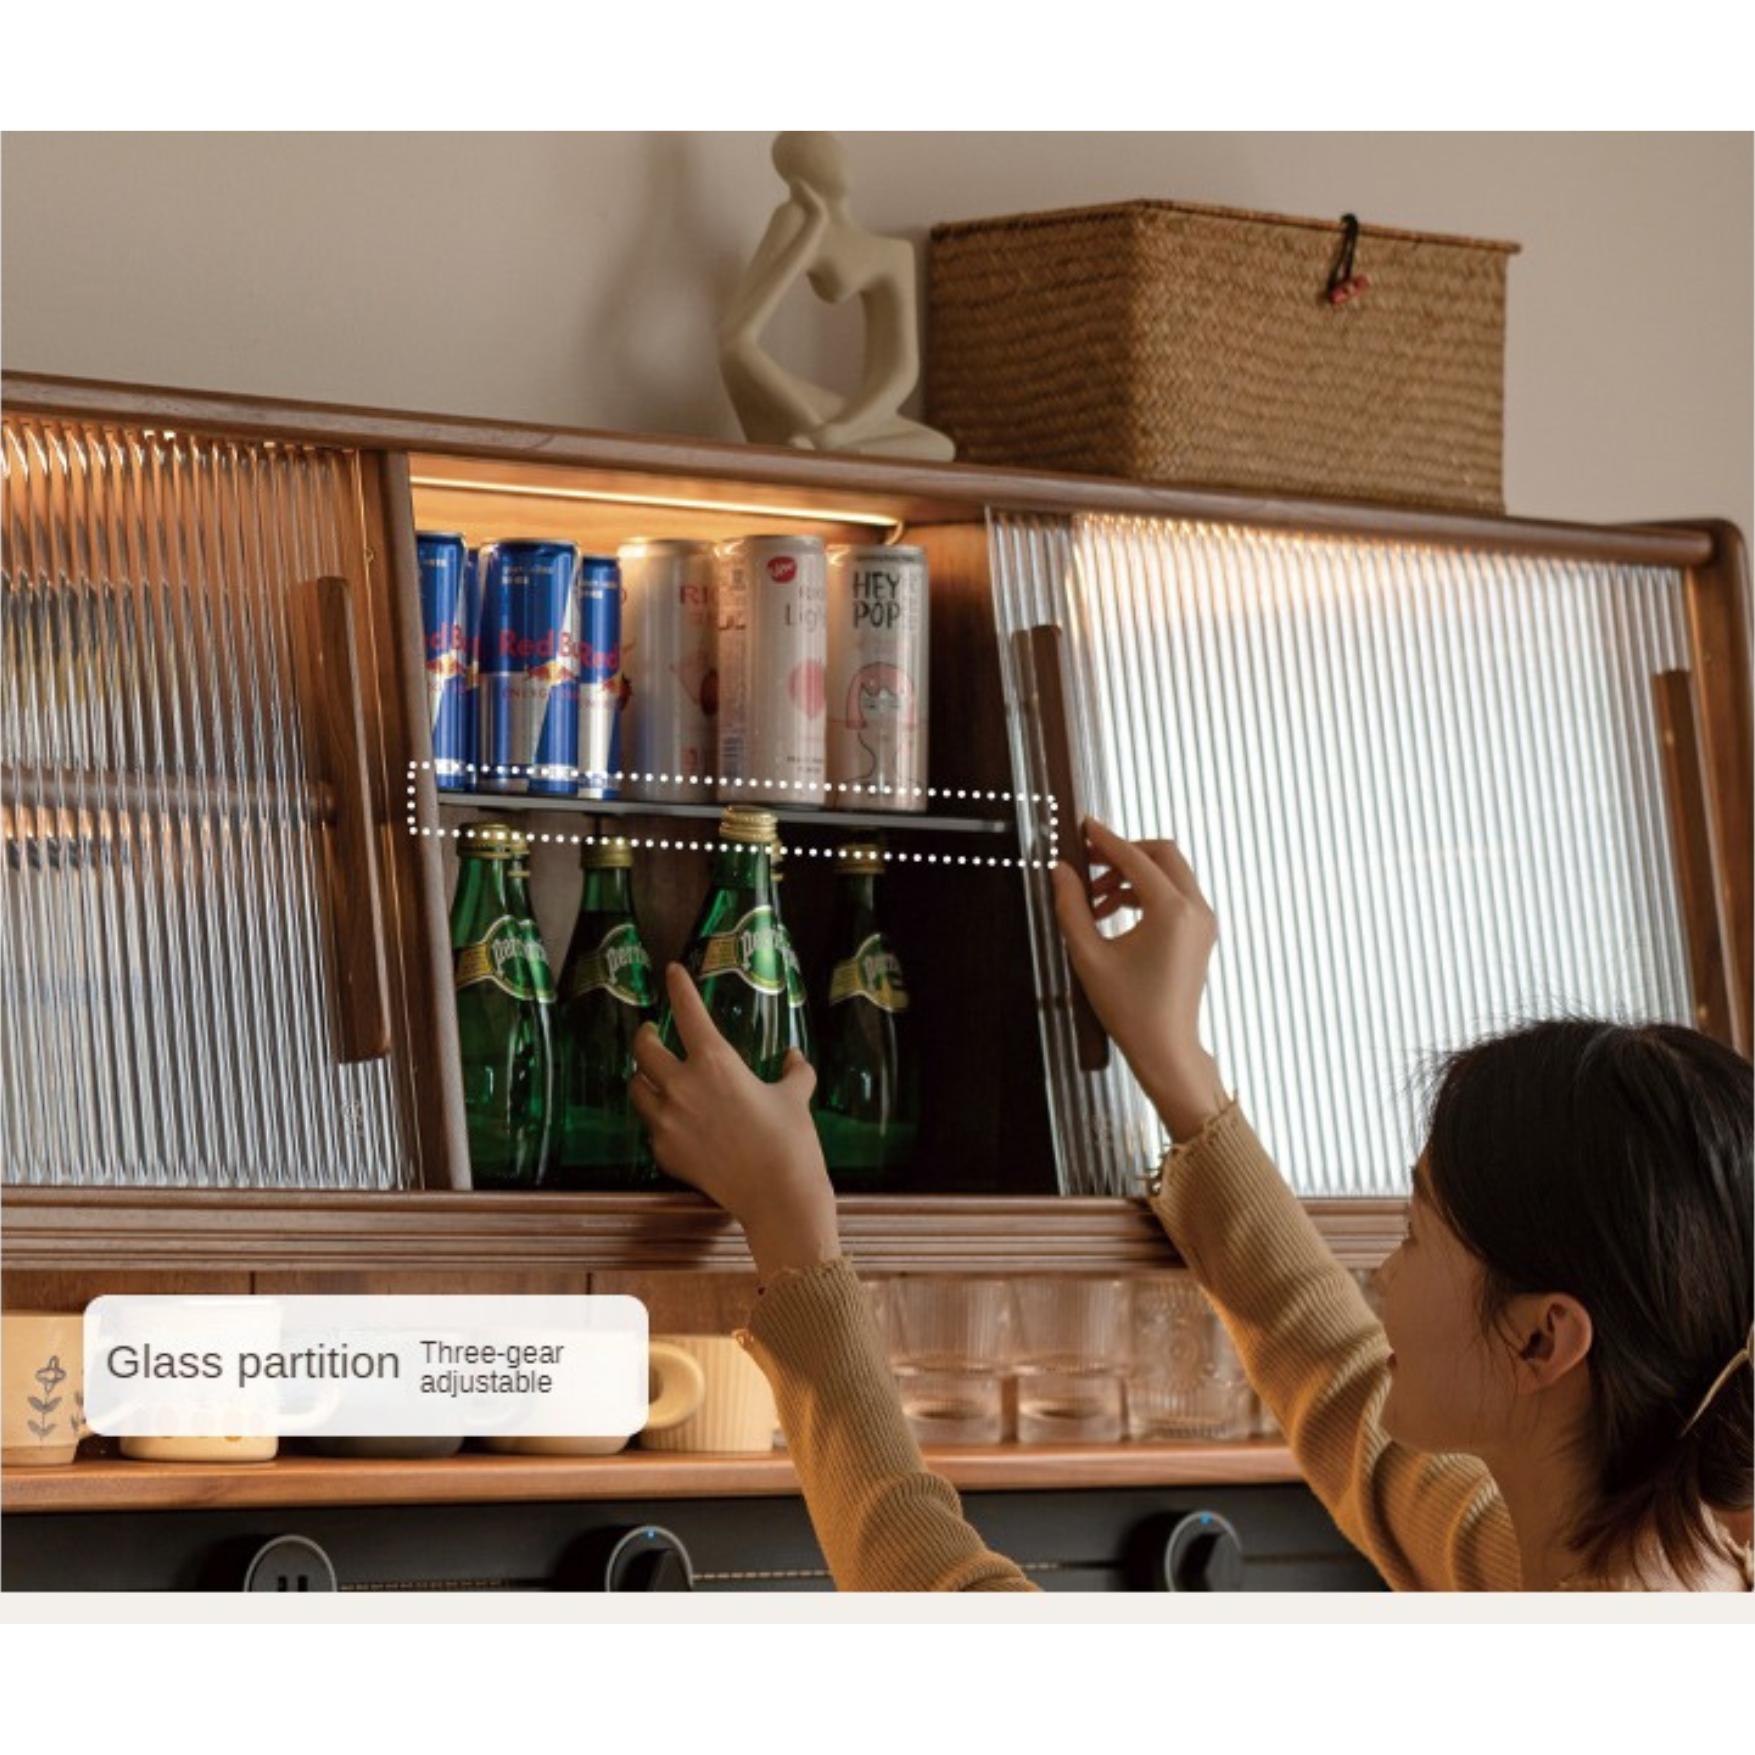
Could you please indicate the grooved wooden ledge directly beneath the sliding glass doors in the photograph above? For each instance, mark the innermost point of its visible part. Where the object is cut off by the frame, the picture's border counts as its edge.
(252, 1231)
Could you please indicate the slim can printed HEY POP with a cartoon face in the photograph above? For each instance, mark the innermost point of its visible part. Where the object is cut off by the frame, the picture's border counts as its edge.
(878, 657)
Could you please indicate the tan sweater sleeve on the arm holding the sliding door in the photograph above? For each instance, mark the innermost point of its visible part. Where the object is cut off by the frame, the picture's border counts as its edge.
(1319, 1359)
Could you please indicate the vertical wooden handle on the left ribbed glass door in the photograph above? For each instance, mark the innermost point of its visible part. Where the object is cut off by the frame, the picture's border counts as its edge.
(329, 694)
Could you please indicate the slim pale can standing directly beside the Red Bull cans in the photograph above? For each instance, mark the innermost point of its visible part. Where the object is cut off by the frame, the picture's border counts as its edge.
(668, 659)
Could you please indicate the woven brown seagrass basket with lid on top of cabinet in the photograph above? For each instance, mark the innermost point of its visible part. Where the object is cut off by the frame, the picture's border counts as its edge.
(1207, 347)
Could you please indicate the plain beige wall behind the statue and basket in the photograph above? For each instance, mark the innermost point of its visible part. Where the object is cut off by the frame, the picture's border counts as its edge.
(577, 278)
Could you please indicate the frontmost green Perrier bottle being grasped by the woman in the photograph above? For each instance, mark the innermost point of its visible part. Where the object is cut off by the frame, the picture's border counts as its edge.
(740, 950)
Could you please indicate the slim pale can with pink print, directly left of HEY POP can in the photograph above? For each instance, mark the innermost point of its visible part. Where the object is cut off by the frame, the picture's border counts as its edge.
(773, 598)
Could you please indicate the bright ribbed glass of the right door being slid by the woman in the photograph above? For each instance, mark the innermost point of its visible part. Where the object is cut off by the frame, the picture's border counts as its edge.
(1421, 789)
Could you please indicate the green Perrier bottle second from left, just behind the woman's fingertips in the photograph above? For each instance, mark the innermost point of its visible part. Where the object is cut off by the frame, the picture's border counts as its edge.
(608, 991)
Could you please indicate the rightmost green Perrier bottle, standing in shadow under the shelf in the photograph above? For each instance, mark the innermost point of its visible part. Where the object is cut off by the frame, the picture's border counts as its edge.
(868, 1100)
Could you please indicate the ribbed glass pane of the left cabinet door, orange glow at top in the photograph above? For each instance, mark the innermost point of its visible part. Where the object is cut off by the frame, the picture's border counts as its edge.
(164, 971)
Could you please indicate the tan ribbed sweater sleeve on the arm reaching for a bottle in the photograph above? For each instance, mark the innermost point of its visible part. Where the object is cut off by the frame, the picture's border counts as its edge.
(884, 1521)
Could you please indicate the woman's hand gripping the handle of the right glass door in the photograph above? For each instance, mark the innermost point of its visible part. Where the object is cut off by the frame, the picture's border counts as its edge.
(1147, 984)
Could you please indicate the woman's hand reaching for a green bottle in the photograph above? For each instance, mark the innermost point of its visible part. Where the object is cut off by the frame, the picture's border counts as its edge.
(745, 1143)
